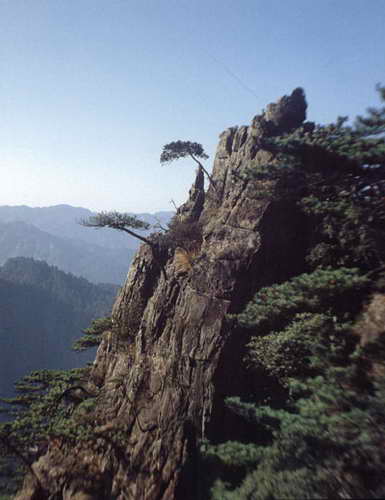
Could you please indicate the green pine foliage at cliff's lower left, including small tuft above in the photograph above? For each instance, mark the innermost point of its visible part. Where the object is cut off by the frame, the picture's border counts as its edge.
(49, 406)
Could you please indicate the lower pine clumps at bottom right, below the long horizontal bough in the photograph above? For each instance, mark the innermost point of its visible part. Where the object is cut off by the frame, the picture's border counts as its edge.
(327, 438)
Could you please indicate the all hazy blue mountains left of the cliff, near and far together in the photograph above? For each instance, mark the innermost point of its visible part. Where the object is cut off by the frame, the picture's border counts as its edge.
(56, 277)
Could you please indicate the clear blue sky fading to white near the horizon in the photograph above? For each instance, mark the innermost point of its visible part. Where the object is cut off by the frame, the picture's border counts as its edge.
(91, 90)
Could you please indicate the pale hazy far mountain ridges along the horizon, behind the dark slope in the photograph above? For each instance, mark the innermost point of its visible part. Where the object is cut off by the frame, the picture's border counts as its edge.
(53, 234)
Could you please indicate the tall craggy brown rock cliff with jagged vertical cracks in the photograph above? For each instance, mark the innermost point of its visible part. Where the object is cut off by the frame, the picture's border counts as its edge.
(172, 356)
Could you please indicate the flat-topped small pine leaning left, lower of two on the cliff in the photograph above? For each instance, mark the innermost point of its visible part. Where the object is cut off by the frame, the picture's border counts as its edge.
(126, 223)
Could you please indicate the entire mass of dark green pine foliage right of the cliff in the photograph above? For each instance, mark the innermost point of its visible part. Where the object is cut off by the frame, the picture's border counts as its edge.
(327, 435)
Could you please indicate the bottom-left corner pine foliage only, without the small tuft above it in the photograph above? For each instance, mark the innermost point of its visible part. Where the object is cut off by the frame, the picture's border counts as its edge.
(40, 412)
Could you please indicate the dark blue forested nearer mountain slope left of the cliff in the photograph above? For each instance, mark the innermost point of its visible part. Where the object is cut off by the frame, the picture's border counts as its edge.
(42, 312)
